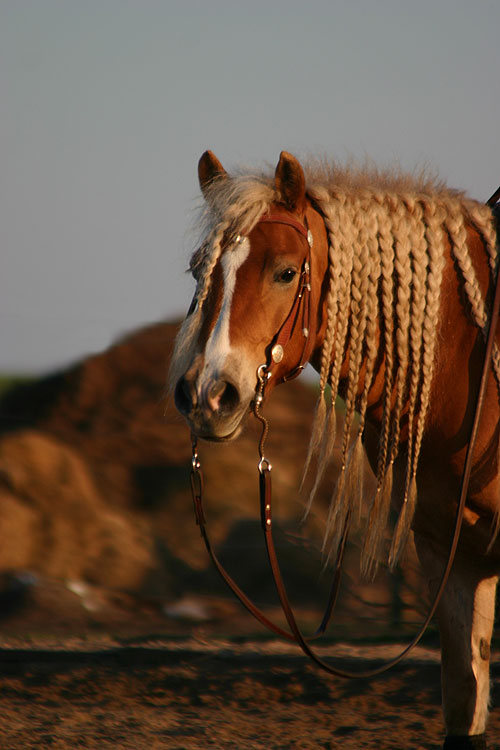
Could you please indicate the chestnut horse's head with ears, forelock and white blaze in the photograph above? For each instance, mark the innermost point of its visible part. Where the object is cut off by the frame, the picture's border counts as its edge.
(258, 286)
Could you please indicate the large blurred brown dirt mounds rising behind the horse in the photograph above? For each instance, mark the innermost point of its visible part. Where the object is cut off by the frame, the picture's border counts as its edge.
(94, 488)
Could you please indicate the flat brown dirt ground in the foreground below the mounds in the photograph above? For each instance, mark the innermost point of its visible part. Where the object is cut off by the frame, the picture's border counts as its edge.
(199, 692)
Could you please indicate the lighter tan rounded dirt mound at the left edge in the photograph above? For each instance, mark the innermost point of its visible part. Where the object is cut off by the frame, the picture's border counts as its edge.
(54, 520)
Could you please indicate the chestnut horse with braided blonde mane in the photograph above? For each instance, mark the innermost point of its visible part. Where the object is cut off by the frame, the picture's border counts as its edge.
(398, 274)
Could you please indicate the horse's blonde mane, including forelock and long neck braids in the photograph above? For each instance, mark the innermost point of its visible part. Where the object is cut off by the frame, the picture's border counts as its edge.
(388, 236)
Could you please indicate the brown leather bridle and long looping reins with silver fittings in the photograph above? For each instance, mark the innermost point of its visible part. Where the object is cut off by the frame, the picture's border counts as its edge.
(302, 305)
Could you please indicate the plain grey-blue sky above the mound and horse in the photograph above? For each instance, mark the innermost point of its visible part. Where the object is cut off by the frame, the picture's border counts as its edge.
(107, 105)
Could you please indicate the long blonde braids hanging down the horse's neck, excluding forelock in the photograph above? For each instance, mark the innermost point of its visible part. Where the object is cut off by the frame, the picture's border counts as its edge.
(407, 234)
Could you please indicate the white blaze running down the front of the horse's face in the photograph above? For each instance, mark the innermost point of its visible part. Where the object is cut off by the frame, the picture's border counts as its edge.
(218, 346)
